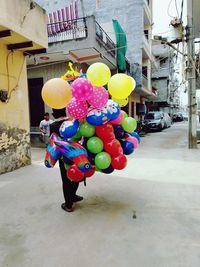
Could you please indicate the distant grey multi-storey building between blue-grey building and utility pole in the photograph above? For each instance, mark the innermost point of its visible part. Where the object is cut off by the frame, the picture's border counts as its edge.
(165, 80)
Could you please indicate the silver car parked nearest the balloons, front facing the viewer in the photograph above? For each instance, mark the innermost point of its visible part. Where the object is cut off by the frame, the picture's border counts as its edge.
(155, 120)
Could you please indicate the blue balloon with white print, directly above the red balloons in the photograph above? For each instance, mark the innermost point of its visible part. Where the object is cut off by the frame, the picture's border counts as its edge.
(98, 117)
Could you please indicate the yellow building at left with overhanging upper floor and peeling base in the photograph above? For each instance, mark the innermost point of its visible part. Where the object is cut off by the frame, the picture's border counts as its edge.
(22, 32)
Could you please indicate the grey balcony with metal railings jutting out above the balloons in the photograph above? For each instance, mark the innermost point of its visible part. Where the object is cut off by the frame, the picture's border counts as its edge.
(82, 40)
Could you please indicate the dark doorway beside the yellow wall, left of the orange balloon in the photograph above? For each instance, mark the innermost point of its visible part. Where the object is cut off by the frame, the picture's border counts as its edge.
(36, 104)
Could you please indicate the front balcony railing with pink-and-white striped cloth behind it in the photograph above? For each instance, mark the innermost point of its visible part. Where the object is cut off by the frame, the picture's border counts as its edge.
(67, 30)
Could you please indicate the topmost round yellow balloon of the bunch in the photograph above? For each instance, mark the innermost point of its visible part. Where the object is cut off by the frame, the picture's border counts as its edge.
(98, 74)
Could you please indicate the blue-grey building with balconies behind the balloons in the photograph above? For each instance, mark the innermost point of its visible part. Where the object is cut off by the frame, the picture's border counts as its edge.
(95, 19)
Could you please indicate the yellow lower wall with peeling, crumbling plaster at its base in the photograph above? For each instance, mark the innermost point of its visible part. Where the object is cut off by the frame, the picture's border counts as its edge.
(14, 115)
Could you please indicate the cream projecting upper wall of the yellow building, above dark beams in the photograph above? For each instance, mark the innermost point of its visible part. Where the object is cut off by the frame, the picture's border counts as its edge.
(31, 23)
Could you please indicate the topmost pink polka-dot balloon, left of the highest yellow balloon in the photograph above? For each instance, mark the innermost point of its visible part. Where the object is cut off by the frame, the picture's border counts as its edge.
(81, 89)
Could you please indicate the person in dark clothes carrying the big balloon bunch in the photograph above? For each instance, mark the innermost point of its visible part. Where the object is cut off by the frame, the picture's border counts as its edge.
(69, 187)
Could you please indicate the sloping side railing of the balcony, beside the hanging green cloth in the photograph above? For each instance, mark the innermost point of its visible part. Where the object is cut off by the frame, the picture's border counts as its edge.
(105, 40)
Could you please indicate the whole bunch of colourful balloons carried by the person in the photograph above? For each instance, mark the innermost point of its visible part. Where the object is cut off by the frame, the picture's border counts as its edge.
(105, 132)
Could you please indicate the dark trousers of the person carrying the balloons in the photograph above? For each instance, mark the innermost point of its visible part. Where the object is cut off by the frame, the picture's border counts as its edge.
(69, 188)
